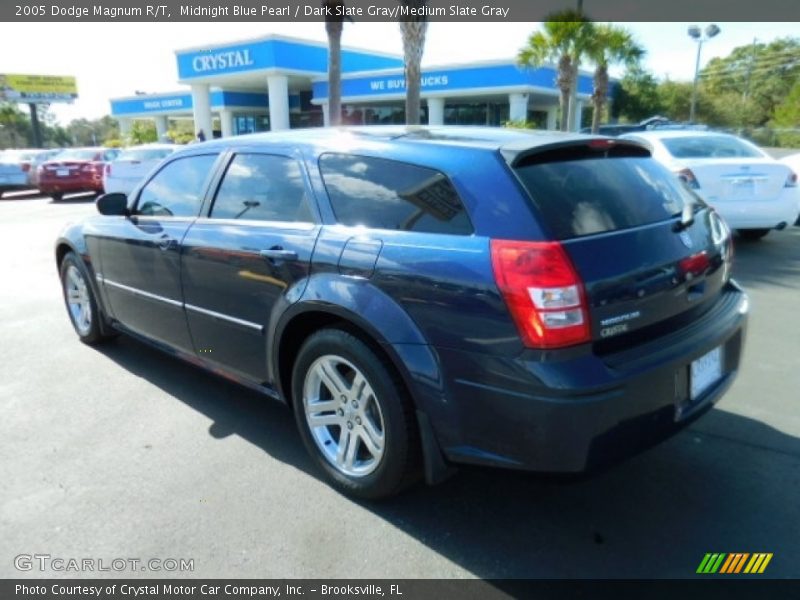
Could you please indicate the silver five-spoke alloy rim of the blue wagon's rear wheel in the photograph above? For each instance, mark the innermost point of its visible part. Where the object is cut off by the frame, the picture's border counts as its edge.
(344, 416)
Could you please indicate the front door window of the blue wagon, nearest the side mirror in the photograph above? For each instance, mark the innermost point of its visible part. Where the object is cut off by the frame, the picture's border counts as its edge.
(177, 189)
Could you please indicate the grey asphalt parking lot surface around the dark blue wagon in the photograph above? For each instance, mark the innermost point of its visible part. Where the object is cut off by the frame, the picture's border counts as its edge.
(121, 451)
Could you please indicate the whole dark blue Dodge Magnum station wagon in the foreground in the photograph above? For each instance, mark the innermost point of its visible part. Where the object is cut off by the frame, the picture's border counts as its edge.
(426, 297)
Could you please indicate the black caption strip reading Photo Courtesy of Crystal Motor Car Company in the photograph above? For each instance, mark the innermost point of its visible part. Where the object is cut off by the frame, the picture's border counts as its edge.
(708, 588)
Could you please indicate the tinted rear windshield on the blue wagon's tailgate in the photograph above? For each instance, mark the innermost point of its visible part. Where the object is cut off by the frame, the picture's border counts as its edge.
(596, 195)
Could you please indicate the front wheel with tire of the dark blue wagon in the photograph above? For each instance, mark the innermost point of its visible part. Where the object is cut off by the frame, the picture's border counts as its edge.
(80, 301)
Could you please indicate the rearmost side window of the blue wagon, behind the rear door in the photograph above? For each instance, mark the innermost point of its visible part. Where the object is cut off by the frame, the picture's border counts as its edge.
(387, 194)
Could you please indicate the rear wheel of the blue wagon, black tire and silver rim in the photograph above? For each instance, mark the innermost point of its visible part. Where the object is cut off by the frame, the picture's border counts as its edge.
(354, 416)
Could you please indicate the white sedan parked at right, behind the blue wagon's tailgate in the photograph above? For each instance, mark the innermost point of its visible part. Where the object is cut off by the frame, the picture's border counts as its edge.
(752, 191)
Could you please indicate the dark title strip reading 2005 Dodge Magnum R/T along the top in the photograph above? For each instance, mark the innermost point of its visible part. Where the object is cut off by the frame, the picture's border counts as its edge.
(393, 10)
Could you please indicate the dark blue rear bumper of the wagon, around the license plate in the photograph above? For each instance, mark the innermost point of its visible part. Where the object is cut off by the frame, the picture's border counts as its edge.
(568, 416)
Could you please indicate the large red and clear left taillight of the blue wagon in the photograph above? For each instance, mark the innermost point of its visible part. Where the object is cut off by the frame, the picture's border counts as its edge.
(543, 292)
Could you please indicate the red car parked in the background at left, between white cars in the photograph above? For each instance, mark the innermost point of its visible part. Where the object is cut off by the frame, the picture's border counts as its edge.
(75, 170)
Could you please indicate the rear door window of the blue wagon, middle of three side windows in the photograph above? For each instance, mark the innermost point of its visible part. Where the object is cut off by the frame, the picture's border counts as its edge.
(262, 187)
